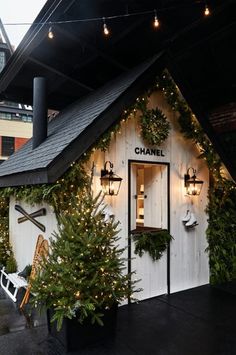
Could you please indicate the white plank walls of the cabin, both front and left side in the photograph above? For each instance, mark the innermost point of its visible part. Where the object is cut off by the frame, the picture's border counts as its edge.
(188, 260)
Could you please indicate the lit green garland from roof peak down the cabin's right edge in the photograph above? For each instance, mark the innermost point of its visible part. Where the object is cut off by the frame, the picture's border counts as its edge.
(221, 207)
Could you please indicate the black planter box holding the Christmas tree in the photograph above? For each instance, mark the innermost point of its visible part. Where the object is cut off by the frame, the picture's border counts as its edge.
(75, 336)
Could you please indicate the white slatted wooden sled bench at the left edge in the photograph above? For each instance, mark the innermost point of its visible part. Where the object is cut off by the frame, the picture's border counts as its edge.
(13, 283)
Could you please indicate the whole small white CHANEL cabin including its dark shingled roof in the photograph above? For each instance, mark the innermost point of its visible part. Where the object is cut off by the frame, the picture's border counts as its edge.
(152, 193)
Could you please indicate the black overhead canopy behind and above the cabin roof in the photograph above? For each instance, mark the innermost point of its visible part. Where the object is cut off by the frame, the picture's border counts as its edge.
(201, 55)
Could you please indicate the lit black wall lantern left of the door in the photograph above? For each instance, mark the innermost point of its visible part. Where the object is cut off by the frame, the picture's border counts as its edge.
(110, 181)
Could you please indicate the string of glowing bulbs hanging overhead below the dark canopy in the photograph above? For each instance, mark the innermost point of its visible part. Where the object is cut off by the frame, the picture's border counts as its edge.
(105, 28)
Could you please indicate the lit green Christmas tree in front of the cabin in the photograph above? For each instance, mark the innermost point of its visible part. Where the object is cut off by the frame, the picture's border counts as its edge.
(84, 273)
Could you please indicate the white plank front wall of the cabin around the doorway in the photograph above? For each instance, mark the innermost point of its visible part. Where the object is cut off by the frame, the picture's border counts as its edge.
(188, 259)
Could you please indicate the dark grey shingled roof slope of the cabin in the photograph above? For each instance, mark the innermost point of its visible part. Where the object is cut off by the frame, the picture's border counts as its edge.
(76, 128)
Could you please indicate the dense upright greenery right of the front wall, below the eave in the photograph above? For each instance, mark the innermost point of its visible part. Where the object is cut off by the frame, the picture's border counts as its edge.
(221, 233)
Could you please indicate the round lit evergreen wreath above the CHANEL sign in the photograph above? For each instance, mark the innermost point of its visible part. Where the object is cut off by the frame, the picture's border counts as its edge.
(154, 126)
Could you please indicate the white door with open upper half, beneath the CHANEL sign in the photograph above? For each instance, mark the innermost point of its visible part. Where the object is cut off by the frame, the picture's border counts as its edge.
(149, 208)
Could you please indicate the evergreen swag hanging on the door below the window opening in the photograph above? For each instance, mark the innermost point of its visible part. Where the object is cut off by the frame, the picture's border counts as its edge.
(153, 242)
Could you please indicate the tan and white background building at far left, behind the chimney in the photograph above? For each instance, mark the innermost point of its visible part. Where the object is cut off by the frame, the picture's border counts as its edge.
(15, 119)
